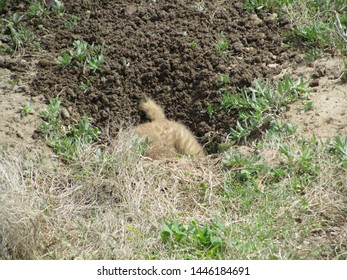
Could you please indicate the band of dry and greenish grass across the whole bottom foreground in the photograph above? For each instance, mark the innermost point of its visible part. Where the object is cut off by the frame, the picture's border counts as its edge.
(113, 204)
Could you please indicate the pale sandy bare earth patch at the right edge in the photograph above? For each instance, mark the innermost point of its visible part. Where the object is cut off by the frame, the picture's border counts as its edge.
(328, 117)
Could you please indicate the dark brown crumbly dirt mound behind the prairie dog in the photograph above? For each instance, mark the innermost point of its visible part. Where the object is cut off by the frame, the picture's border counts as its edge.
(164, 50)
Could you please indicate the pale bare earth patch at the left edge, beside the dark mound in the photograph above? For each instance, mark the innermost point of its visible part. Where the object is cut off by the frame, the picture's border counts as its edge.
(17, 132)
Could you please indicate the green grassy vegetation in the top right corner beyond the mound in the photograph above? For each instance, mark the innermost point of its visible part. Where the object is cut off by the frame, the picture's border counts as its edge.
(317, 25)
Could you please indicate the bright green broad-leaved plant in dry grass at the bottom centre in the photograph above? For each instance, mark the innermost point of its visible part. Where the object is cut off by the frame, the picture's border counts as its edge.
(196, 241)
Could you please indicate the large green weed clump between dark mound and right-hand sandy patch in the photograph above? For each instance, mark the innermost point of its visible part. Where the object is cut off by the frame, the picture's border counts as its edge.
(258, 104)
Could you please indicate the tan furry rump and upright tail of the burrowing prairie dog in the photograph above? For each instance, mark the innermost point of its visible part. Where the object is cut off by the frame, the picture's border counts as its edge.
(166, 138)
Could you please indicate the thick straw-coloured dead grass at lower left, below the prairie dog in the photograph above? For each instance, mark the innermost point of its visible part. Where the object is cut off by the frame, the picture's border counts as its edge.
(105, 206)
